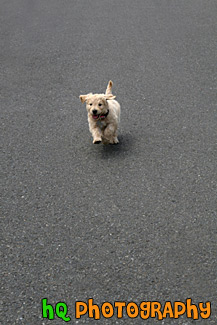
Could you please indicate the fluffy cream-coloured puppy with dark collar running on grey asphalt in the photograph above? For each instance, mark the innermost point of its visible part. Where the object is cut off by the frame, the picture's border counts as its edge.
(103, 115)
